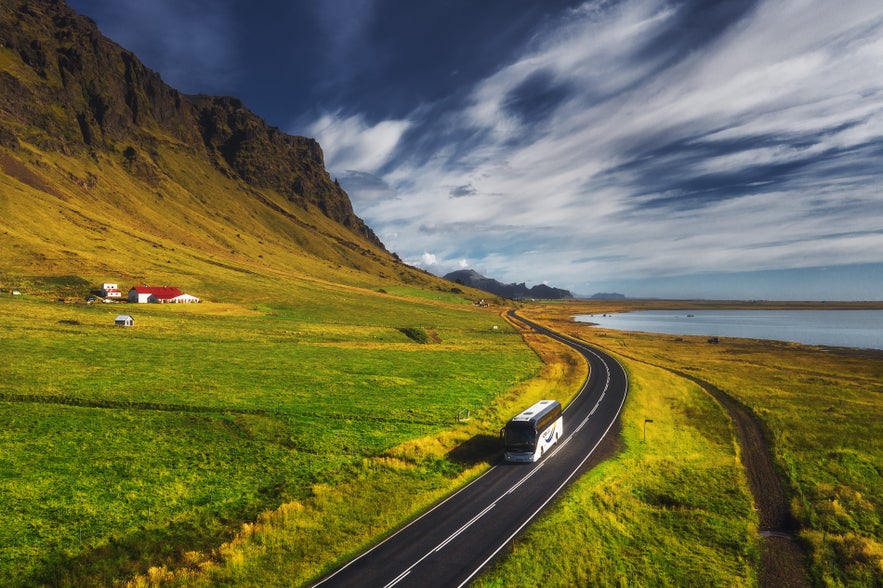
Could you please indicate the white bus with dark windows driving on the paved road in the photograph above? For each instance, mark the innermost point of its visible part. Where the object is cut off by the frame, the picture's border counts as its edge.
(527, 436)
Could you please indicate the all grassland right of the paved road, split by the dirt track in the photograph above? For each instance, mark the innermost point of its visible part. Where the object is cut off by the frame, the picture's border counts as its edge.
(674, 504)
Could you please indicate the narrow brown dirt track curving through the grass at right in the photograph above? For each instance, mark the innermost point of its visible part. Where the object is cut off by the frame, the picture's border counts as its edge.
(782, 560)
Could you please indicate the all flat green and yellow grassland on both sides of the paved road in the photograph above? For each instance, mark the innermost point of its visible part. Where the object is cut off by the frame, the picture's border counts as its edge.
(263, 444)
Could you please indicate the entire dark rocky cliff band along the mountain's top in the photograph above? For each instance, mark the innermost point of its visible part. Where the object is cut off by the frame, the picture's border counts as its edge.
(66, 88)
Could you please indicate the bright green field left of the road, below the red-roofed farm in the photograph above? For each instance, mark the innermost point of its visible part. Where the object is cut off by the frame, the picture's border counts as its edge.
(123, 449)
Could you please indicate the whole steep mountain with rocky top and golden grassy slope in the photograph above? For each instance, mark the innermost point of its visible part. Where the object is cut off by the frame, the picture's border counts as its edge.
(109, 174)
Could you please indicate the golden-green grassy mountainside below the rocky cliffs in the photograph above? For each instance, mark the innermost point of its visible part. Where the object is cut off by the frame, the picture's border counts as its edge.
(203, 232)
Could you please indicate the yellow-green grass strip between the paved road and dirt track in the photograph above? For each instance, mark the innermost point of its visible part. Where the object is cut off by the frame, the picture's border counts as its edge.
(638, 520)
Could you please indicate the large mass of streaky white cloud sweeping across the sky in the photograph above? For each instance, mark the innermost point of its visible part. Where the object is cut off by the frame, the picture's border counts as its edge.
(620, 145)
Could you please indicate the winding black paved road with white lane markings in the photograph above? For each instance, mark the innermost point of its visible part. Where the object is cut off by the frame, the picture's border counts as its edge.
(451, 543)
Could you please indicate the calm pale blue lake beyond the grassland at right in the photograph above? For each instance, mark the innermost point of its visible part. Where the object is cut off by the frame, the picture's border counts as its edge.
(840, 328)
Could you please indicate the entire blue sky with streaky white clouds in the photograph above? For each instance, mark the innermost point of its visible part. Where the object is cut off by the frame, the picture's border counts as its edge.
(656, 148)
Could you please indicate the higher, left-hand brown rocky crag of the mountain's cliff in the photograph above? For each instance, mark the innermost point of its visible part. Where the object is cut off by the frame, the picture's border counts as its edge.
(80, 90)
